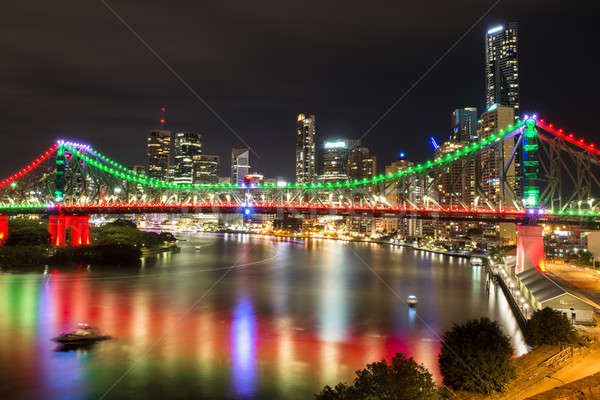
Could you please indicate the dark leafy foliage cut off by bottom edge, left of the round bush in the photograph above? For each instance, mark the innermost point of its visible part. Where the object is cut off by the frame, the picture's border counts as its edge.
(402, 379)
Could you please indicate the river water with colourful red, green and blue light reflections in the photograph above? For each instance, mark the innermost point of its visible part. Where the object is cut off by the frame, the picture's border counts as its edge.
(235, 316)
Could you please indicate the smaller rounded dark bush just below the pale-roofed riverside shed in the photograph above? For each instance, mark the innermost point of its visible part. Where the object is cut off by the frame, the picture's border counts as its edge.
(548, 326)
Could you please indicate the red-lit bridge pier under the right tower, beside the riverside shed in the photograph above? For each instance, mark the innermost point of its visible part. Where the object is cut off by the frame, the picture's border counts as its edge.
(530, 248)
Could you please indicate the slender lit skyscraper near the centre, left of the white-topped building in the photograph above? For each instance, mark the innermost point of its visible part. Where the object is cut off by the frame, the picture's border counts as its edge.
(305, 149)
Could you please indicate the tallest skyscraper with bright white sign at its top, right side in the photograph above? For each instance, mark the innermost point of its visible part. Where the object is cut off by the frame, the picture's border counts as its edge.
(502, 66)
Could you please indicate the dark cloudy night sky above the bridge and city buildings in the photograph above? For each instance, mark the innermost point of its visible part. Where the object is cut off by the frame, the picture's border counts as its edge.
(71, 69)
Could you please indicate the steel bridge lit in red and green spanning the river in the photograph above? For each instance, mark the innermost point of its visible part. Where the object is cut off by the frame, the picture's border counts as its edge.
(529, 173)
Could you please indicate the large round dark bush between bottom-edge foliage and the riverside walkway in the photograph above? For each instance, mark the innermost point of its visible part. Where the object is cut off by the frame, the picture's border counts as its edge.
(476, 356)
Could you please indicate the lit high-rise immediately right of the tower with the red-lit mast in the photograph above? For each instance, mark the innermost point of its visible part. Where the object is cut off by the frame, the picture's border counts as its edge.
(188, 149)
